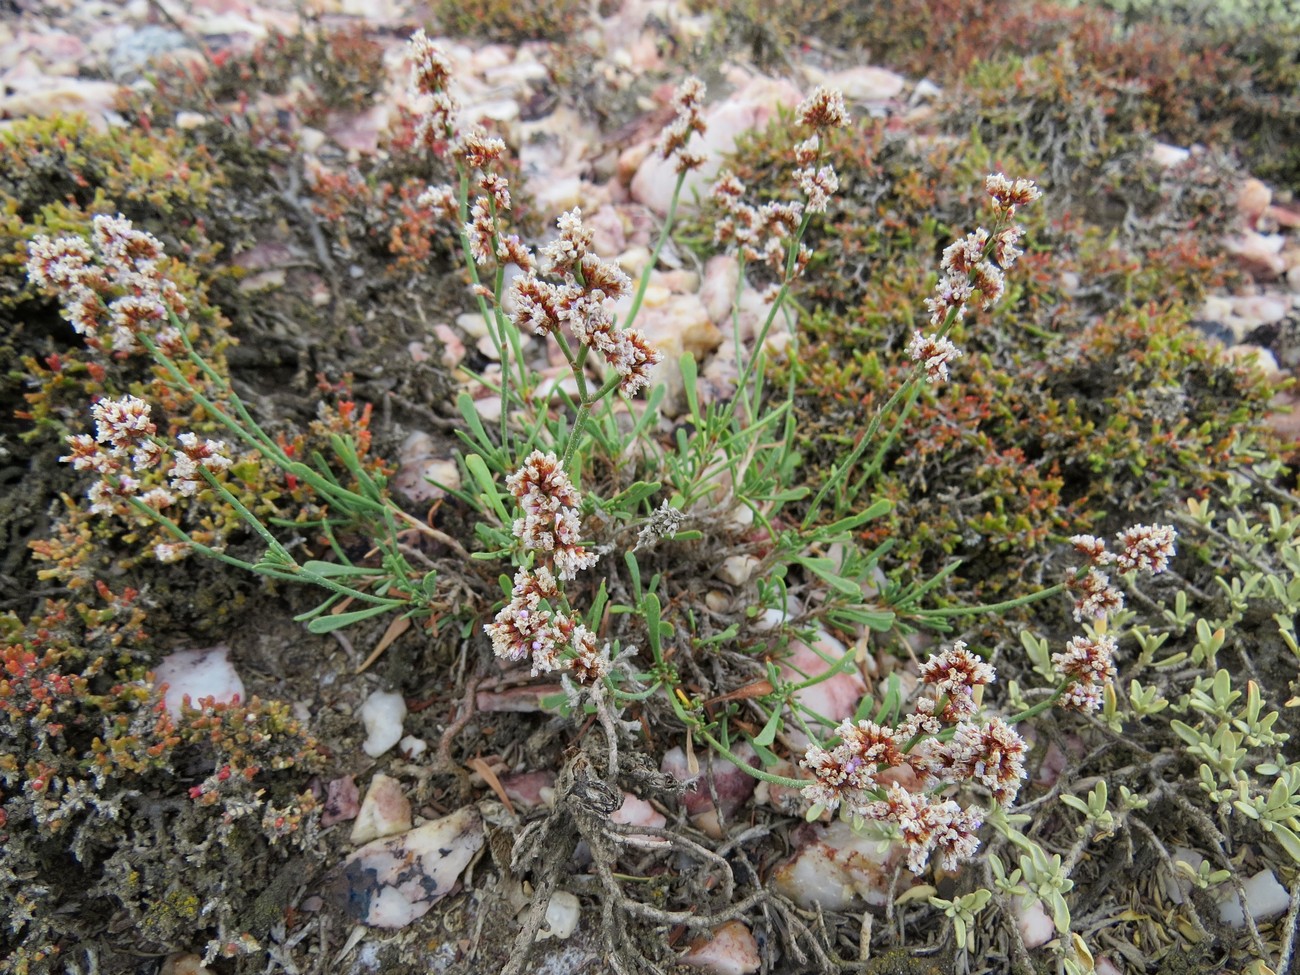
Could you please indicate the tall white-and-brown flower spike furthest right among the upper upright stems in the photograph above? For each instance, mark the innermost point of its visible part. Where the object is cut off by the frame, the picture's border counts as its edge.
(974, 265)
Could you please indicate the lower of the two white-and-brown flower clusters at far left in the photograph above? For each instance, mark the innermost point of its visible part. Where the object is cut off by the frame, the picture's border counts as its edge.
(127, 444)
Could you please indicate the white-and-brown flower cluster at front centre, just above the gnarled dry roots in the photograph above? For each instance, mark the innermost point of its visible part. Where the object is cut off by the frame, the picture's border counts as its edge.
(534, 626)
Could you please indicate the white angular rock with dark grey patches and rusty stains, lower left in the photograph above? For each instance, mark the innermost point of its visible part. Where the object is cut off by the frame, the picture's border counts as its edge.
(389, 883)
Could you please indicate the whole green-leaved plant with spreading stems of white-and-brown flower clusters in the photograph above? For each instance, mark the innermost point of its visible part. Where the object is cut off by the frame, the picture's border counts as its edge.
(566, 483)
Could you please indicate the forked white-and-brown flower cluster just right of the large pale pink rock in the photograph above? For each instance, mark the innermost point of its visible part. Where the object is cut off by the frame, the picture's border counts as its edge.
(764, 235)
